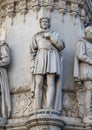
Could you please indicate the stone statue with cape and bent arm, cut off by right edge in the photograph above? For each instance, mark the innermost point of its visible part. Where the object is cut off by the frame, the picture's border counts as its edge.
(83, 74)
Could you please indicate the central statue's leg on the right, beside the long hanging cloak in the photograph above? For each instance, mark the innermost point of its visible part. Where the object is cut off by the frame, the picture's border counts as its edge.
(50, 90)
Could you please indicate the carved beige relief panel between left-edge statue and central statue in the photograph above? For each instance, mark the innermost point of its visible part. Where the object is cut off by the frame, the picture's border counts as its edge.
(22, 104)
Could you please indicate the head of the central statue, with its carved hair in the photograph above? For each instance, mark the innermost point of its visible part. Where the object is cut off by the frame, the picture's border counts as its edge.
(45, 23)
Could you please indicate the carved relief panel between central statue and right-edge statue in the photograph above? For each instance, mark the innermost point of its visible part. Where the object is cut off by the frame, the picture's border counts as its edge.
(69, 105)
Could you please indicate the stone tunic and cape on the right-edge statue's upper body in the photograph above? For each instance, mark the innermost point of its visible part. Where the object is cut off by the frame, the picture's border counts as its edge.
(83, 66)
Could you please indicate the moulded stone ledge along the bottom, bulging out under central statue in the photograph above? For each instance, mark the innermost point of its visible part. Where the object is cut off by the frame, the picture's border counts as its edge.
(44, 122)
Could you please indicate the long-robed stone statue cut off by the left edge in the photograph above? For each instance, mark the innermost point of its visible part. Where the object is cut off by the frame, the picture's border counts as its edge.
(5, 92)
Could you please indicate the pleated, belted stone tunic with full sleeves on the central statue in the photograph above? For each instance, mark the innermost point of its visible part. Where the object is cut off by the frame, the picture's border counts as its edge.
(46, 53)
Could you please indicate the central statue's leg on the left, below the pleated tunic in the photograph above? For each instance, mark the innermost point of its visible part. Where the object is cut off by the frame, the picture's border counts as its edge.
(38, 92)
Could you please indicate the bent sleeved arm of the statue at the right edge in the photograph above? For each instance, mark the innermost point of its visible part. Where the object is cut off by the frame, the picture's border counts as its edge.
(81, 53)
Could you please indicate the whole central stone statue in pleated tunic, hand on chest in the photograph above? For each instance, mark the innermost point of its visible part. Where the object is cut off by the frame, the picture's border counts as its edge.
(46, 64)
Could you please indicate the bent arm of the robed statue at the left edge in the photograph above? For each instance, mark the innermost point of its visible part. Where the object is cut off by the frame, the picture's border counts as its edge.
(5, 55)
